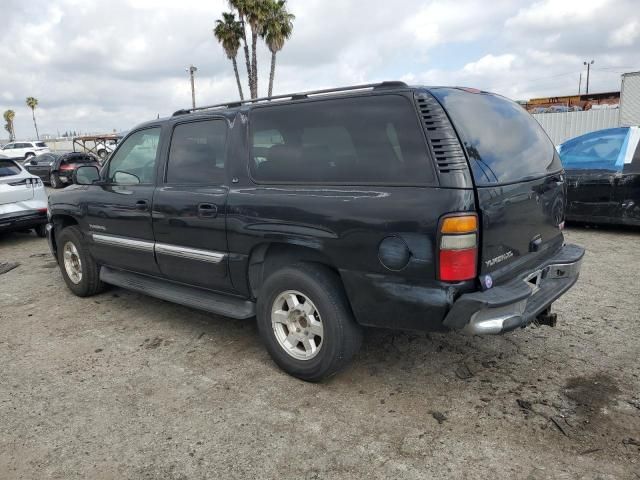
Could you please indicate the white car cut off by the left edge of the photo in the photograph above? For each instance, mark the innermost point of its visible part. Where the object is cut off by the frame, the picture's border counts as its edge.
(23, 199)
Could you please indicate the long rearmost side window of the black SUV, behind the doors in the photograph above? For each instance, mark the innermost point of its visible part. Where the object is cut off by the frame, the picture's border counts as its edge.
(375, 139)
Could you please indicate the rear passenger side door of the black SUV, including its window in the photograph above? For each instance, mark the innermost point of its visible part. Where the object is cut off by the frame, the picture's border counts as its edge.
(189, 207)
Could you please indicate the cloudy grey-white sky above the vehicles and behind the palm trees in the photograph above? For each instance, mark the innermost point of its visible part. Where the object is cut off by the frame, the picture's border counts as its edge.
(104, 65)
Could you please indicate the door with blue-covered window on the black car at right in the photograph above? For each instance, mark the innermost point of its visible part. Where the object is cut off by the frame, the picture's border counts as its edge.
(593, 163)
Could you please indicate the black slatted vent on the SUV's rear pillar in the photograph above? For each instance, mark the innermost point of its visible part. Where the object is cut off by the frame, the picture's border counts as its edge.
(441, 136)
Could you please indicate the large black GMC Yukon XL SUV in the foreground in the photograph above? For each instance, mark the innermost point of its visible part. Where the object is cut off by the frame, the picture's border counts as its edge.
(377, 205)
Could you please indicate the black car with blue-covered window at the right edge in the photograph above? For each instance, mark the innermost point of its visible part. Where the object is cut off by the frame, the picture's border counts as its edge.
(603, 176)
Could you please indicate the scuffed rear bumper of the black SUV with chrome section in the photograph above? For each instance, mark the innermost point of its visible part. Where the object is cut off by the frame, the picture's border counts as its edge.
(518, 302)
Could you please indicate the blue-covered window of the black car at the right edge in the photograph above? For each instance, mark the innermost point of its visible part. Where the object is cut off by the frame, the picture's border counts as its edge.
(601, 150)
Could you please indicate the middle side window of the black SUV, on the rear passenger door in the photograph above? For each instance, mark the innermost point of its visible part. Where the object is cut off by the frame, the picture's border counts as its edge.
(197, 153)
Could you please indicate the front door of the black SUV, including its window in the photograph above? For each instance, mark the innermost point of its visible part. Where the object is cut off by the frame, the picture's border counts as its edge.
(118, 211)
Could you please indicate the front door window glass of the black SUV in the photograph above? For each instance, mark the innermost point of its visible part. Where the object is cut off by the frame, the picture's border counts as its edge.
(135, 161)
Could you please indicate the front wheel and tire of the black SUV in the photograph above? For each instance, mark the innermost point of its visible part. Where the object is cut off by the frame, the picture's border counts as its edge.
(80, 271)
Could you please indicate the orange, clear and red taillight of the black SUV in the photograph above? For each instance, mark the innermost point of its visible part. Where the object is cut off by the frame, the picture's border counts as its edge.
(458, 249)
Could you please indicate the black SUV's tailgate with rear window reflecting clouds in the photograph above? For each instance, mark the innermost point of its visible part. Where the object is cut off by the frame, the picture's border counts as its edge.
(518, 178)
